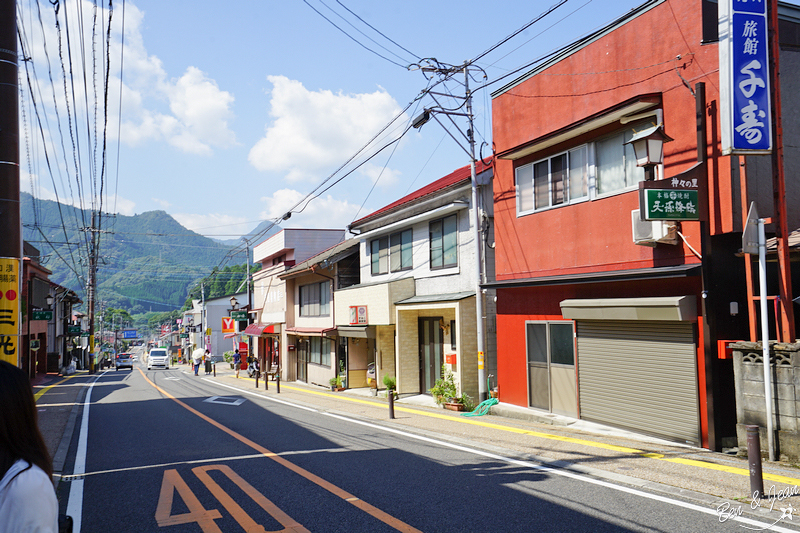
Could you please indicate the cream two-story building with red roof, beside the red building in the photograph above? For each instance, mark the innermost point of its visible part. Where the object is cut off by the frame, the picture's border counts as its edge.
(414, 309)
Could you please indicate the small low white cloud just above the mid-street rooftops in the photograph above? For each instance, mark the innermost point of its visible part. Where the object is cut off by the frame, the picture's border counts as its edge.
(324, 212)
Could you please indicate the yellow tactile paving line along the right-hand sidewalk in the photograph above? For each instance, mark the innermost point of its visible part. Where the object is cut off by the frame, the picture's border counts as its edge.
(583, 442)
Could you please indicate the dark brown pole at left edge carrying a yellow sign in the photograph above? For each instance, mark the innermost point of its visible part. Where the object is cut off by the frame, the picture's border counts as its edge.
(10, 219)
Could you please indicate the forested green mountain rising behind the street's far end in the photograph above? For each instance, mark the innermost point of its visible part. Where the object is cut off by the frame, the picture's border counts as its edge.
(146, 261)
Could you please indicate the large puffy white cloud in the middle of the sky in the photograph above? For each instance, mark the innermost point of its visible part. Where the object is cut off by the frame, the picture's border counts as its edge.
(311, 131)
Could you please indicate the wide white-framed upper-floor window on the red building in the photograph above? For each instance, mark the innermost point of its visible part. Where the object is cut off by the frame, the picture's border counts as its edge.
(604, 166)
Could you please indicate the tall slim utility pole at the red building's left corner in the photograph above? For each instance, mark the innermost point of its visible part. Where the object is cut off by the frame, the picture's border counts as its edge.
(482, 393)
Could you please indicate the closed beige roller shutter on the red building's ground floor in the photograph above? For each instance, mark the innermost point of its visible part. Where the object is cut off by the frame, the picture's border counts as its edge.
(639, 375)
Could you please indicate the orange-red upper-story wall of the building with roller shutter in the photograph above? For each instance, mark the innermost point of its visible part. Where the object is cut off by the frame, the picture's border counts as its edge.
(643, 57)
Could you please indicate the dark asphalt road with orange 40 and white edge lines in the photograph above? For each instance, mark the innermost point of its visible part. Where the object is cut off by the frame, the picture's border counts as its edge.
(170, 452)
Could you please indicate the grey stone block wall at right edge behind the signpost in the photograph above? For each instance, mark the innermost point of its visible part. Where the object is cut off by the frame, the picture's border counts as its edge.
(748, 370)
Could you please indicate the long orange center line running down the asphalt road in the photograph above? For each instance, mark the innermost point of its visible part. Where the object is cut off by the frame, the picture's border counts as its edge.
(327, 485)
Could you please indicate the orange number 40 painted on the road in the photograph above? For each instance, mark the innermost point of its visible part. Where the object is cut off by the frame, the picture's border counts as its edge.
(173, 481)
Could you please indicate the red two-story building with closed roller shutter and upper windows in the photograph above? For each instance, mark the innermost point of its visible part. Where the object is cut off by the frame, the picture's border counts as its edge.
(600, 316)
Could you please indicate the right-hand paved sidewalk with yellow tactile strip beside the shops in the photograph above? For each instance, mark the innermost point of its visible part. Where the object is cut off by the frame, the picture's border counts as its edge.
(706, 477)
